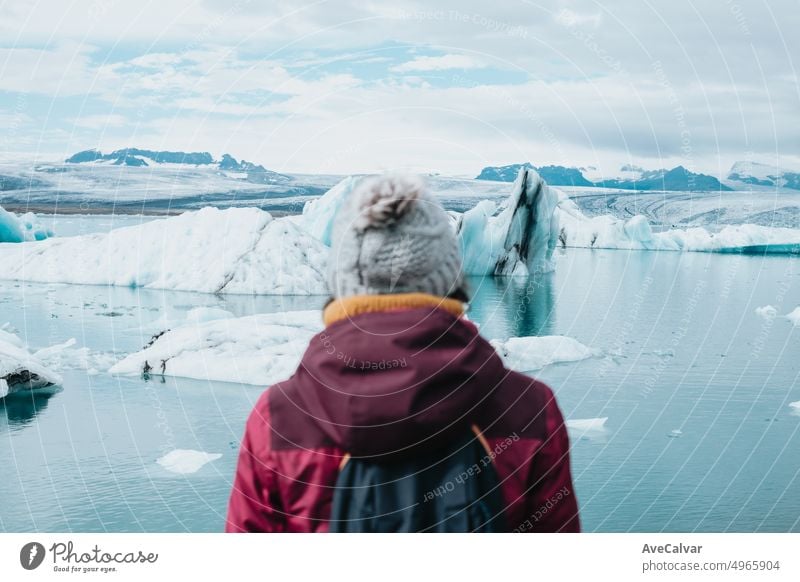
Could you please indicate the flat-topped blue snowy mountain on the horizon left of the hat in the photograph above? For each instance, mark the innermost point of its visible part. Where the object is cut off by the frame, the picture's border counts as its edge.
(137, 158)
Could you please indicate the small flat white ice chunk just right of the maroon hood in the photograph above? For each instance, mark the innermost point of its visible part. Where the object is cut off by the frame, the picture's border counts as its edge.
(532, 353)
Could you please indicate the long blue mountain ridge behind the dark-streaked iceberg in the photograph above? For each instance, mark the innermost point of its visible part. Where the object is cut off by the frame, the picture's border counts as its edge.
(632, 178)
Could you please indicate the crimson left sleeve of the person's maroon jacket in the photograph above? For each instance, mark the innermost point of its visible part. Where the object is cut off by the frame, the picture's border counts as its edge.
(255, 504)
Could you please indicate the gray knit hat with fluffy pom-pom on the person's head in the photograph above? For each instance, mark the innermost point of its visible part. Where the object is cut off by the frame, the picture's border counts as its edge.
(392, 236)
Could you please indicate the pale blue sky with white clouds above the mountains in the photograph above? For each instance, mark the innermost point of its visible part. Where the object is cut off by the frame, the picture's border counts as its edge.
(366, 86)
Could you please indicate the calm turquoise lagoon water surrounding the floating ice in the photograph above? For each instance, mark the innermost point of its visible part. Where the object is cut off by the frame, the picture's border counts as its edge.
(682, 350)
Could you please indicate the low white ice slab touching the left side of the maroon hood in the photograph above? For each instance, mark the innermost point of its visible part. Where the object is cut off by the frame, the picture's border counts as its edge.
(257, 349)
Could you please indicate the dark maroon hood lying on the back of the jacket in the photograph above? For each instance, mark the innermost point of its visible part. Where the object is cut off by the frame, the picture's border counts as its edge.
(382, 383)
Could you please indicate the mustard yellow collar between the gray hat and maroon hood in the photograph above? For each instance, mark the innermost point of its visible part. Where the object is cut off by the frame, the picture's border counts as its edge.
(347, 307)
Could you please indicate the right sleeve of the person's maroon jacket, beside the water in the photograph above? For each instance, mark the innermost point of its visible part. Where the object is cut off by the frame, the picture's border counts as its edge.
(552, 505)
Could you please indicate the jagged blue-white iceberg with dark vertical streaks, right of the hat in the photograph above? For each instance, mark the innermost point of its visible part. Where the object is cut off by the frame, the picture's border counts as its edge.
(520, 239)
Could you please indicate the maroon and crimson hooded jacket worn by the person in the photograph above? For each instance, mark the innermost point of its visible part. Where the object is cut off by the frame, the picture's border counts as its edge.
(381, 384)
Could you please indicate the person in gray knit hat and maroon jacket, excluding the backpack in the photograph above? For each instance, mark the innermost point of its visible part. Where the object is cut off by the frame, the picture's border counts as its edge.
(398, 368)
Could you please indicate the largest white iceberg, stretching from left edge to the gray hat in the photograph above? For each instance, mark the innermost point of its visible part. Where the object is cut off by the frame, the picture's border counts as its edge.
(237, 250)
